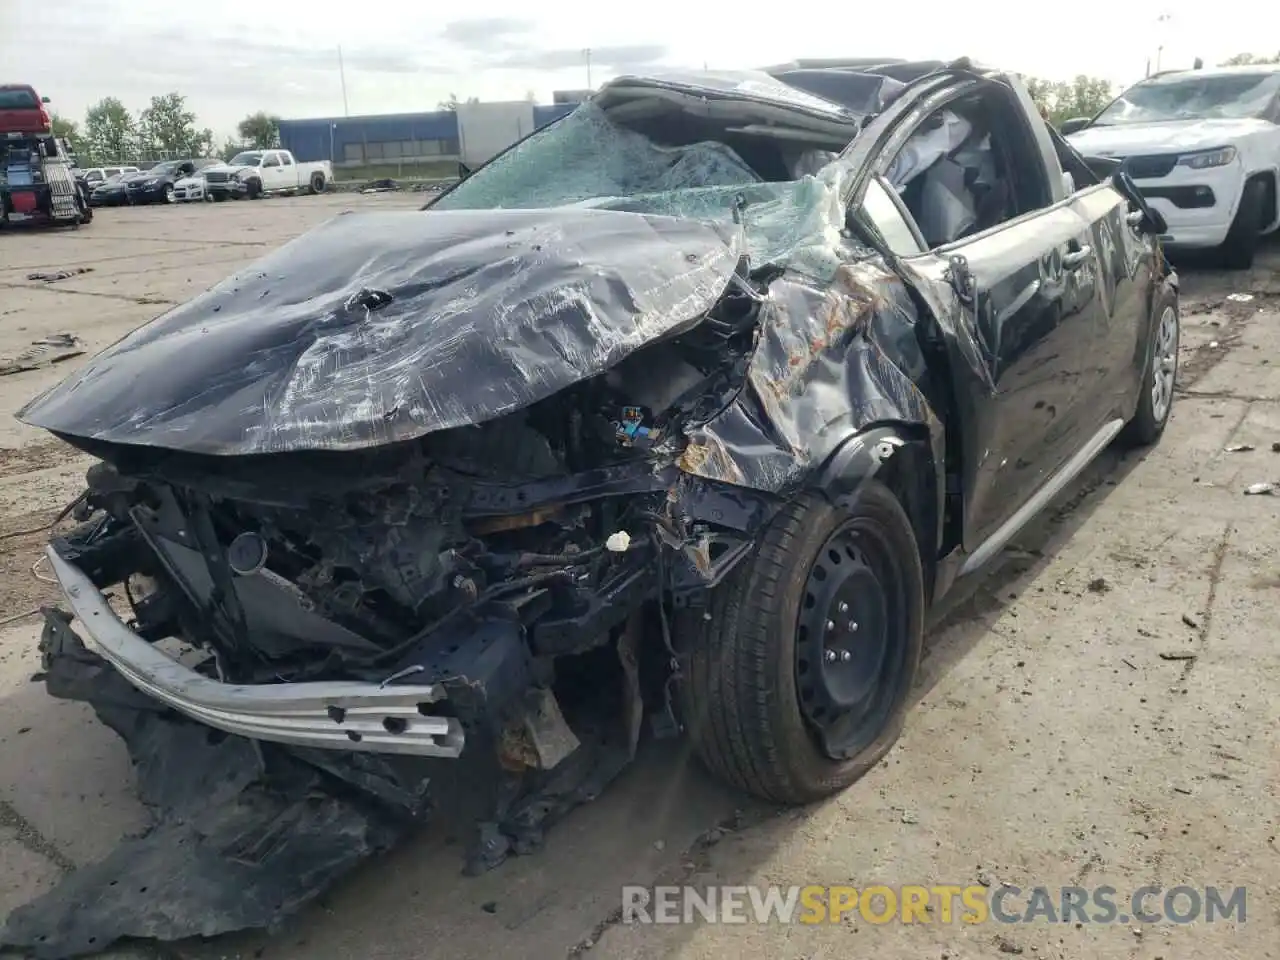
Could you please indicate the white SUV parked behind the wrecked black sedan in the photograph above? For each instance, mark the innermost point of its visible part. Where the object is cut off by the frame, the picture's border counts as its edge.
(1204, 148)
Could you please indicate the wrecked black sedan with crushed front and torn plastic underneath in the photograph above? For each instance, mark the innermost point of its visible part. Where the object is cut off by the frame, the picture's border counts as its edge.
(676, 417)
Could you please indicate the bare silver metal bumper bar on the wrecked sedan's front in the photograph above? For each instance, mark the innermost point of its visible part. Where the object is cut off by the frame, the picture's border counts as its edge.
(328, 715)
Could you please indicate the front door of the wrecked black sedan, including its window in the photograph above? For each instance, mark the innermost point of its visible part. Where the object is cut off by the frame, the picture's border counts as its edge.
(1020, 282)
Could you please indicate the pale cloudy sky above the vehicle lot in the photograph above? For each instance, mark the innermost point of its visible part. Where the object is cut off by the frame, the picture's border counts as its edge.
(282, 56)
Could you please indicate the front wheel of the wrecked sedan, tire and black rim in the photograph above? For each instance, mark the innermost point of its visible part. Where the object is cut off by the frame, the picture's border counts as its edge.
(801, 678)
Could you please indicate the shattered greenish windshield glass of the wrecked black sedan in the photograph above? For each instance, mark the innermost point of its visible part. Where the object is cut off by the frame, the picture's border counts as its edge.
(589, 161)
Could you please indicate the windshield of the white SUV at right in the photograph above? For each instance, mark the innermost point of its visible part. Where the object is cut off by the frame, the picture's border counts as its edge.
(1227, 97)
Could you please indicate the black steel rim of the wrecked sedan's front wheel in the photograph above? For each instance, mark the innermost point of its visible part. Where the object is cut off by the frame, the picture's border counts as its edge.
(851, 648)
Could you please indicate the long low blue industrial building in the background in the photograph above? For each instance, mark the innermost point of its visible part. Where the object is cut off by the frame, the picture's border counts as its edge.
(396, 139)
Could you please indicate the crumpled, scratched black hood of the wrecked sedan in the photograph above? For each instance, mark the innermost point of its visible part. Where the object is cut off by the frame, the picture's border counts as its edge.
(380, 328)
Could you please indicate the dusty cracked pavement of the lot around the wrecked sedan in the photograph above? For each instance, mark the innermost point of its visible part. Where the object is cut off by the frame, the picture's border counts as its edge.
(1101, 710)
